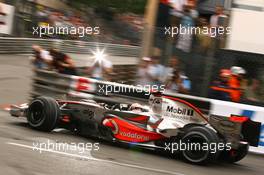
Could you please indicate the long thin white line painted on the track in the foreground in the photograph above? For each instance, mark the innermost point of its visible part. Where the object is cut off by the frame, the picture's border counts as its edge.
(95, 159)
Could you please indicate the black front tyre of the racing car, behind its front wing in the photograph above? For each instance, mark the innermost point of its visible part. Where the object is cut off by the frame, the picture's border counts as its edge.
(43, 114)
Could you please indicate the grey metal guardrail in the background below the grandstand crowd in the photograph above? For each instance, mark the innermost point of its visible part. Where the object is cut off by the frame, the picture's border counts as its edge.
(24, 46)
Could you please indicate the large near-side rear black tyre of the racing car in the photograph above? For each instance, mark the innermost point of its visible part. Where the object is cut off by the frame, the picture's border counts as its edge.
(197, 137)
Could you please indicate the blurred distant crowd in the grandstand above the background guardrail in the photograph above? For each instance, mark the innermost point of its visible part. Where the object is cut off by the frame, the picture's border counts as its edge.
(111, 31)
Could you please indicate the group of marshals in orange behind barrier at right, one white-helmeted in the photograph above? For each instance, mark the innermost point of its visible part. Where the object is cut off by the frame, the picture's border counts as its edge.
(231, 85)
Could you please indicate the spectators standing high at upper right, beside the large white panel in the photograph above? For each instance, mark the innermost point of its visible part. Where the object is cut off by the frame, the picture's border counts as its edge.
(185, 13)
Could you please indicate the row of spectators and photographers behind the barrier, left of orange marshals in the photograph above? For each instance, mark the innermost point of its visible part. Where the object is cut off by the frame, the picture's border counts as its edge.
(150, 71)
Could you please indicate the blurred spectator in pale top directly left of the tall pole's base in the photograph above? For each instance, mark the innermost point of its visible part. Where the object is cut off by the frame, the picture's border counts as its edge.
(142, 74)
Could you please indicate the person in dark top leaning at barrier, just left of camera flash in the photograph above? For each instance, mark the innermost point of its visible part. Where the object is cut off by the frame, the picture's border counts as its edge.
(63, 63)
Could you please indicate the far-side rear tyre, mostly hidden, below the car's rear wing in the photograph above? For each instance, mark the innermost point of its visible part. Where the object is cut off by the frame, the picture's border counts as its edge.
(235, 155)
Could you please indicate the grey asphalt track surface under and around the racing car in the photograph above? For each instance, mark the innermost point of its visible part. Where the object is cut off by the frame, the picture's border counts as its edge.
(19, 155)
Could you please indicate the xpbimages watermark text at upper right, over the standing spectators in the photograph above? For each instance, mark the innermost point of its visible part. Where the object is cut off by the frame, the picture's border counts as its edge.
(173, 31)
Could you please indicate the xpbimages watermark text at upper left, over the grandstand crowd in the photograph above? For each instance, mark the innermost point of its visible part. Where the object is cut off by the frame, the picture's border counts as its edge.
(80, 31)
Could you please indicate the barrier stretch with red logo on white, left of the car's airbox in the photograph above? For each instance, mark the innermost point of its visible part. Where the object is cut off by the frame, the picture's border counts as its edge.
(62, 86)
